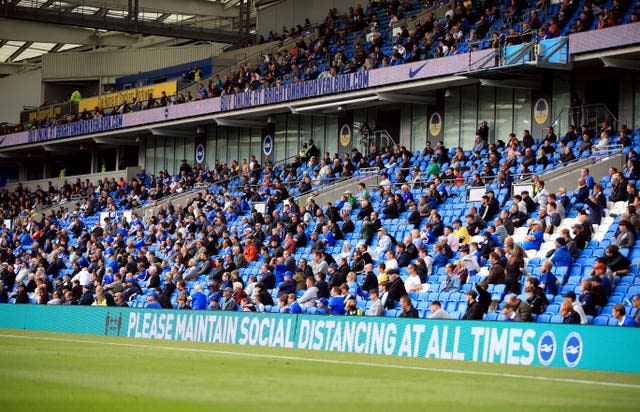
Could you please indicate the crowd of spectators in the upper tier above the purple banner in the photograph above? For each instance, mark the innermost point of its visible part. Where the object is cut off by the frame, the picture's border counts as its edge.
(364, 39)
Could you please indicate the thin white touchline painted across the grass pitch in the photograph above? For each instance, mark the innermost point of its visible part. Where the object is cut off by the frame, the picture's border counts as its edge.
(331, 361)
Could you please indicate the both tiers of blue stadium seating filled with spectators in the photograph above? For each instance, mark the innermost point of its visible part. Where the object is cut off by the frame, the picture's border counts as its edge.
(416, 237)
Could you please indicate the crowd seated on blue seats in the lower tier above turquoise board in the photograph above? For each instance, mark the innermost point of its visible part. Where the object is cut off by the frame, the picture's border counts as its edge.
(220, 253)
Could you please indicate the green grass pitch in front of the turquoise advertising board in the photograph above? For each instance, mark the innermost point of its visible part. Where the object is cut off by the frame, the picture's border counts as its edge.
(52, 375)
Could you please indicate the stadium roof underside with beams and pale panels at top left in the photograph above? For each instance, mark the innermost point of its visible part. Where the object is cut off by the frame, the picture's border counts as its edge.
(36, 27)
